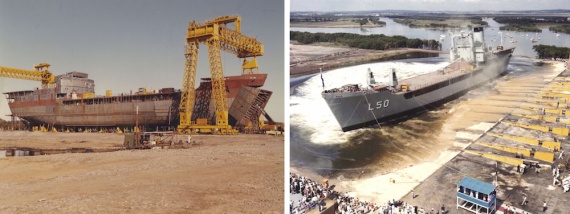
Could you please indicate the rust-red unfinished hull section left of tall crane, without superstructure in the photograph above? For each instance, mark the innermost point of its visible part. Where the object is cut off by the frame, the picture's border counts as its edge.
(157, 109)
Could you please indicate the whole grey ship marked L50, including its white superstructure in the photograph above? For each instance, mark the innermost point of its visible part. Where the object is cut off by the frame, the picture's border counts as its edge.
(473, 64)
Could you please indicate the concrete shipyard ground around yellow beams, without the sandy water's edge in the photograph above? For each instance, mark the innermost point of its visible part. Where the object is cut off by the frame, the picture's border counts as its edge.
(440, 187)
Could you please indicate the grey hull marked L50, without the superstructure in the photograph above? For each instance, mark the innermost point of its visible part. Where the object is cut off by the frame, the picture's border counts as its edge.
(360, 109)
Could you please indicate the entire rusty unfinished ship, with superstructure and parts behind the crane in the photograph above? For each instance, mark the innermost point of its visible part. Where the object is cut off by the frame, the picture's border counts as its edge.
(73, 104)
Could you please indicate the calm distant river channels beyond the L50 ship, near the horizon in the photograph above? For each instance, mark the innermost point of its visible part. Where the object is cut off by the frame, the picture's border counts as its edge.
(523, 44)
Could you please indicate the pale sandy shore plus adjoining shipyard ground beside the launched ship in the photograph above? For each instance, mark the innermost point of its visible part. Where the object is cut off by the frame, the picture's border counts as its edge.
(434, 170)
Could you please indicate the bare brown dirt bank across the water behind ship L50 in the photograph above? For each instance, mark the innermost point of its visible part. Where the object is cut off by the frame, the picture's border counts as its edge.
(307, 59)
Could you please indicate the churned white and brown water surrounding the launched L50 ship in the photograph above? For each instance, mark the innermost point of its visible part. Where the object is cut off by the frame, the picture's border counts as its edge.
(318, 144)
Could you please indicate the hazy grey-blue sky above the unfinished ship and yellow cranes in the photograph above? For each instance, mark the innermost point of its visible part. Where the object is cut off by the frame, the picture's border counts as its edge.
(124, 45)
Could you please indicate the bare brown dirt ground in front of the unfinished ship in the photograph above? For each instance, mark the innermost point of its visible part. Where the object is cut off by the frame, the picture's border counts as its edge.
(222, 174)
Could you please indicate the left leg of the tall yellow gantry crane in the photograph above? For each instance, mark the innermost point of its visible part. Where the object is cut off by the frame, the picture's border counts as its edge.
(187, 96)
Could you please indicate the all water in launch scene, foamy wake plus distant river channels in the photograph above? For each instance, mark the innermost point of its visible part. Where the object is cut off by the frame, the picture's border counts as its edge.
(317, 142)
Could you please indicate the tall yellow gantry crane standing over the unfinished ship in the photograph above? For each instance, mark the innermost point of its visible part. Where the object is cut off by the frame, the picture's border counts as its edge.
(217, 37)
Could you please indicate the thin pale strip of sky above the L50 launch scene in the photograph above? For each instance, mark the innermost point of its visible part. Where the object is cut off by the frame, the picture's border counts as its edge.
(426, 5)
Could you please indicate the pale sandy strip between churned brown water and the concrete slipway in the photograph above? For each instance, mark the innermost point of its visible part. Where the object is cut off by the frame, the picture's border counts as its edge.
(376, 186)
